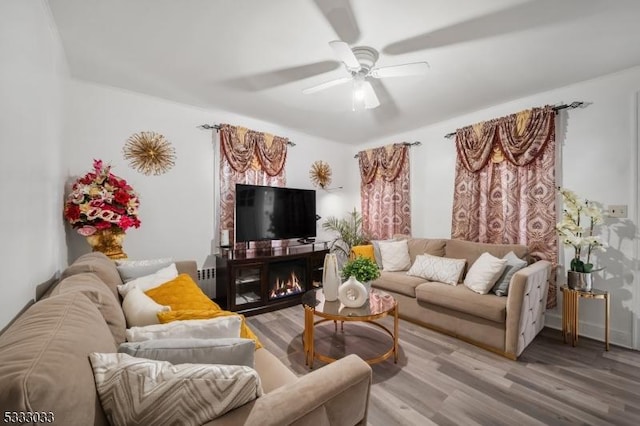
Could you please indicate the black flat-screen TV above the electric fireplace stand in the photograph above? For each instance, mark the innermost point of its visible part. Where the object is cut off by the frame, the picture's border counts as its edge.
(273, 213)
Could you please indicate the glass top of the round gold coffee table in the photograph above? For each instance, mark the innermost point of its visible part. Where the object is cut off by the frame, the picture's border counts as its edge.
(379, 302)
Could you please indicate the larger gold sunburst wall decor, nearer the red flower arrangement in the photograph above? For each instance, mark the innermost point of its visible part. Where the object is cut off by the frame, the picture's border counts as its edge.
(149, 153)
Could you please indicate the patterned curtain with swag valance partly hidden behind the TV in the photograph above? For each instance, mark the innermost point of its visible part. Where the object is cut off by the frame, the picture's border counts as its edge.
(247, 157)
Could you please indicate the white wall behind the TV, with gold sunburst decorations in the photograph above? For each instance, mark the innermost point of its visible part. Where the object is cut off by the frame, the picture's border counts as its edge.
(177, 208)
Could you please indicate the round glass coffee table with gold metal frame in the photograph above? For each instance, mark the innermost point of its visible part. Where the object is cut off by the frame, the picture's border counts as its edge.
(379, 305)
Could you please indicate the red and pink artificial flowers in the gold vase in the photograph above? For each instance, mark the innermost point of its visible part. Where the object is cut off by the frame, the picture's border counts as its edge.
(101, 200)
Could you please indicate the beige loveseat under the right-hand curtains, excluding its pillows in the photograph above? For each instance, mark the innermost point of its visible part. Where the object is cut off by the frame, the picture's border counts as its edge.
(505, 325)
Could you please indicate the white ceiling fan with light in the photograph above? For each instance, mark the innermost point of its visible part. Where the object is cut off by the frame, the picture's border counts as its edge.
(360, 62)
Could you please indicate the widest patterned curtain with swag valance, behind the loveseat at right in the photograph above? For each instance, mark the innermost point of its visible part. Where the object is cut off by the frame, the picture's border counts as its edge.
(505, 184)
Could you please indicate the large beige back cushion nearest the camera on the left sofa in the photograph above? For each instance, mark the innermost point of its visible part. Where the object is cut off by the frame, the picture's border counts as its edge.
(44, 362)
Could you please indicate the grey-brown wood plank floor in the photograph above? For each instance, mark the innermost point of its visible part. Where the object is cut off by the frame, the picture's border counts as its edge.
(441, 380)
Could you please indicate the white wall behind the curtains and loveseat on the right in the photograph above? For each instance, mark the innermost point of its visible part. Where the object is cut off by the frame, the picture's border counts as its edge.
(599, 160)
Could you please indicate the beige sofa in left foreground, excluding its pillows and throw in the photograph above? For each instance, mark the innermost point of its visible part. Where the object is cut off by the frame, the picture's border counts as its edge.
(44, 363)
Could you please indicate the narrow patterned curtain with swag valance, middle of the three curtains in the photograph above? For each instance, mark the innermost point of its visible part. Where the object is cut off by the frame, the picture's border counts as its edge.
(385, 191)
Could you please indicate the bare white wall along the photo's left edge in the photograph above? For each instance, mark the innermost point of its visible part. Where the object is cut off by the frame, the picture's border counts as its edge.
(32, 74)
